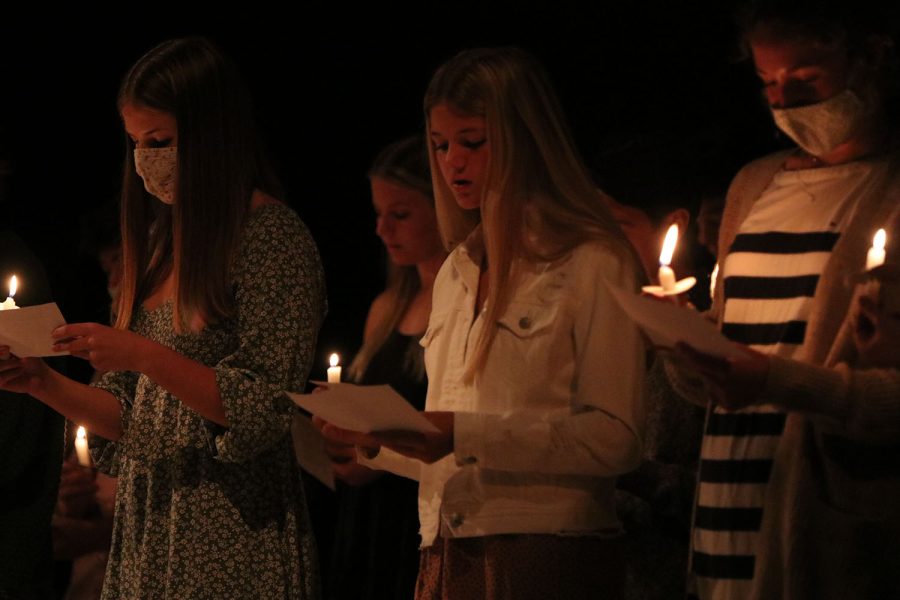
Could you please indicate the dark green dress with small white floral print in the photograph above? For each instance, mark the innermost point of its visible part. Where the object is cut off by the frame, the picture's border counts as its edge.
(205, 511)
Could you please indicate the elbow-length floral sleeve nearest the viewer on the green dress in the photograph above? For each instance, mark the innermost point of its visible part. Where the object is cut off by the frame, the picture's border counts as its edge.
(280, 302)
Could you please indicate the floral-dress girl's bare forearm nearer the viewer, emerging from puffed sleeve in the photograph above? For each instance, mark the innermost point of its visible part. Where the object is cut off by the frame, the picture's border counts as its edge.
(194, 384)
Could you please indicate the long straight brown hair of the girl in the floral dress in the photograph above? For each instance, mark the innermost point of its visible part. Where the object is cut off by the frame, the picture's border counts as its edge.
(220, 163)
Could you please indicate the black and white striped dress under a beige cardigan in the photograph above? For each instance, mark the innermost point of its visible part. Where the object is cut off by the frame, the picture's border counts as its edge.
(770, 277)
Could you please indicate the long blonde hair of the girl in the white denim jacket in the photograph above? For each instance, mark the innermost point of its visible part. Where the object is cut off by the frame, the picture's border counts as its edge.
(538, 200)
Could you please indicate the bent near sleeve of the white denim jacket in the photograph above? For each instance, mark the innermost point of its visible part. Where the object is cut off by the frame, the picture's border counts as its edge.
(601, 434)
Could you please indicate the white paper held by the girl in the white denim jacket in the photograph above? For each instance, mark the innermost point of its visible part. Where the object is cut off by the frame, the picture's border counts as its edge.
(364, 408)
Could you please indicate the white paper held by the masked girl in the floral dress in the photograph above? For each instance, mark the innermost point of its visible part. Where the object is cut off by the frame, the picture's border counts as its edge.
(27, 330)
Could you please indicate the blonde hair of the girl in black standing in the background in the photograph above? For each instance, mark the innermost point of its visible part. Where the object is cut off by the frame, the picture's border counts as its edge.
(405, 163)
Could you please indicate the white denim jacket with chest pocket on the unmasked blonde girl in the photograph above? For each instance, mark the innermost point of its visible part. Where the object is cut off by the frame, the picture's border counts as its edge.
(554, 416)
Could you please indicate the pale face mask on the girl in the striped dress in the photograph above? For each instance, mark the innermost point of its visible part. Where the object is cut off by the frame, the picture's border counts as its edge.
(821, 127)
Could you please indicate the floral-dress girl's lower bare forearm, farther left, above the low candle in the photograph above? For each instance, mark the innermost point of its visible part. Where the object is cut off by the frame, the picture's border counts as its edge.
(98, 410)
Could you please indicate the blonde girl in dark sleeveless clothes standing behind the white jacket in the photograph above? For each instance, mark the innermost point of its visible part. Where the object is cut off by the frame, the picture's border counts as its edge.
(377, 530)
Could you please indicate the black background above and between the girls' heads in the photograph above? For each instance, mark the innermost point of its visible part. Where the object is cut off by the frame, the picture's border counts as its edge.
(333, 83)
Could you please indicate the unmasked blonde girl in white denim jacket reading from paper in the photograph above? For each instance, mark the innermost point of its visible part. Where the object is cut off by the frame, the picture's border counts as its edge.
(535, 374)
